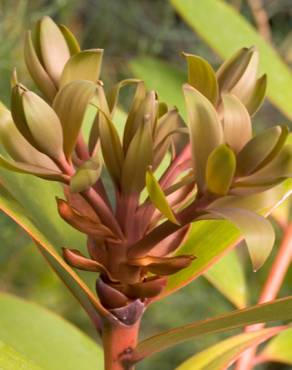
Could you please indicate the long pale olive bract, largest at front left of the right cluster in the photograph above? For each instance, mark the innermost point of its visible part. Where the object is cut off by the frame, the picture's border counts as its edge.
(205, 130)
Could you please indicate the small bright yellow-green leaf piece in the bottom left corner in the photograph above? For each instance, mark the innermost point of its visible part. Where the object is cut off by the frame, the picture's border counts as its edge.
(10, 359)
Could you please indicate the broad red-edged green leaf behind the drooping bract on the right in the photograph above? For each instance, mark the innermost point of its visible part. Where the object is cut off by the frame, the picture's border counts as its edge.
(208, 240)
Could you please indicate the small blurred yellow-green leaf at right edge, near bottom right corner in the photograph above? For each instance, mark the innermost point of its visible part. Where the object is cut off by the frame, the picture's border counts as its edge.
(279, 349)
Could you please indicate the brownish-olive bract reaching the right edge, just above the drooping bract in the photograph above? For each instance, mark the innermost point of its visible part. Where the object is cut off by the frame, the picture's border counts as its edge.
(277, 170)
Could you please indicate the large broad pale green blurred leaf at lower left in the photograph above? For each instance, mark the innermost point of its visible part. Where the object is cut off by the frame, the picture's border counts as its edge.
(45, 339)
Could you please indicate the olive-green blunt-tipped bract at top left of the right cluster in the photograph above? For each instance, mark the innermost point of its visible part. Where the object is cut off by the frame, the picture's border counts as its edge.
(202, 77)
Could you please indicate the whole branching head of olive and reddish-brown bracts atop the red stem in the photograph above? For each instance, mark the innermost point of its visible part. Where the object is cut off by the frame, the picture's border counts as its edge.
(132, 237)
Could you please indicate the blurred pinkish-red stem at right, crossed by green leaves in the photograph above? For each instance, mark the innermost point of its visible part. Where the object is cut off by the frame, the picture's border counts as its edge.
(270, 290)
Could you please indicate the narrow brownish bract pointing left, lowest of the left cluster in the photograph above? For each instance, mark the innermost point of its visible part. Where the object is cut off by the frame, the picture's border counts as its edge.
(27, 168)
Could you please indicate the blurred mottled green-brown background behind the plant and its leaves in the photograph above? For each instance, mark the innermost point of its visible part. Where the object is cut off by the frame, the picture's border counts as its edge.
(128, 30)
